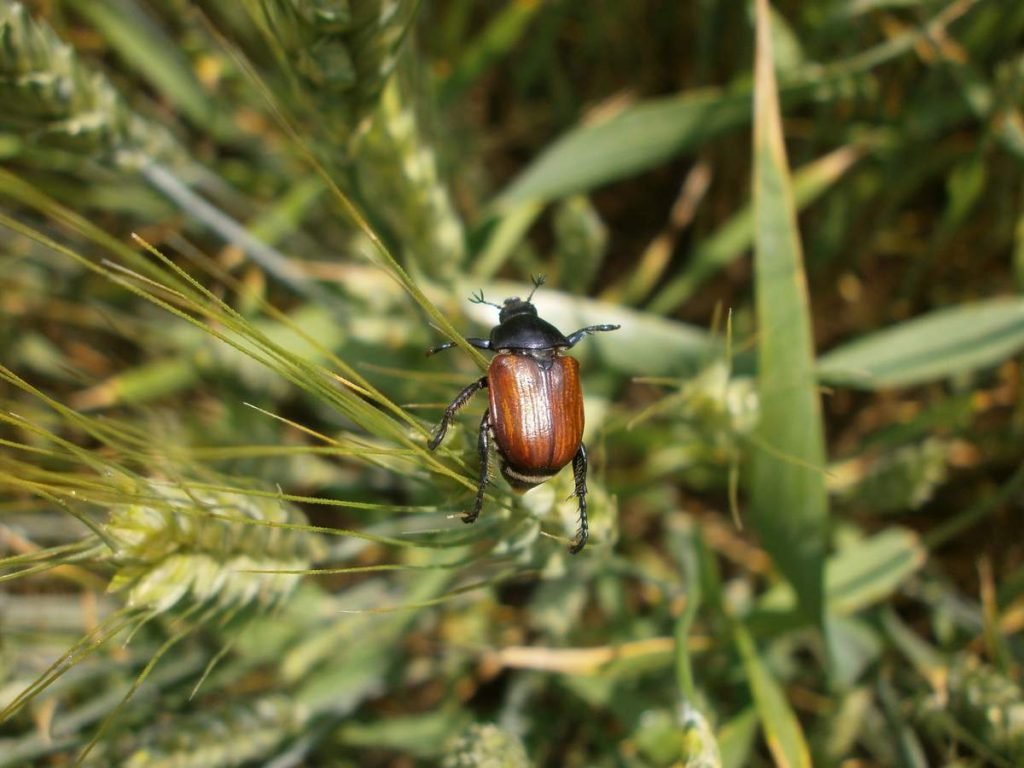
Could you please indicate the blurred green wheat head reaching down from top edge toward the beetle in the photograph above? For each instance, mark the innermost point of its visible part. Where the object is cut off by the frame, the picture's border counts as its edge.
(346, 61)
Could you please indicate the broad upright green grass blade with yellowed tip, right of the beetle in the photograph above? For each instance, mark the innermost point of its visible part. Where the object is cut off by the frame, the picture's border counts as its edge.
(788, 490)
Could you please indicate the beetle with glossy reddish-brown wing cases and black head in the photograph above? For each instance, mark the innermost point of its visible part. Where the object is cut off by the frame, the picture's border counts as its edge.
(535, 418)
